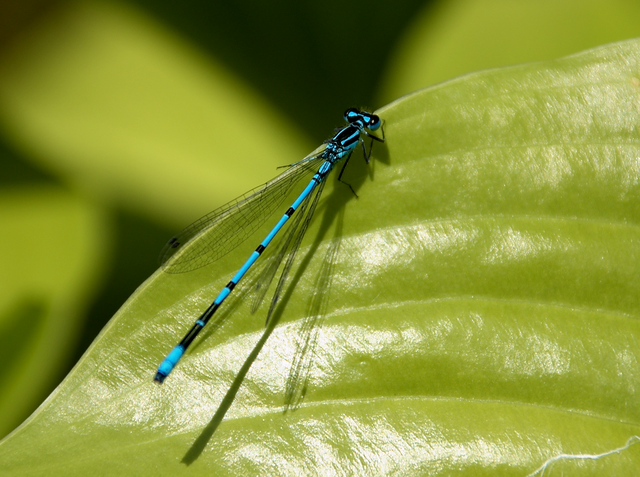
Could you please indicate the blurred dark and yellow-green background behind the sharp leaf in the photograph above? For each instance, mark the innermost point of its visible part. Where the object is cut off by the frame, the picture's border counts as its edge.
(122, 122)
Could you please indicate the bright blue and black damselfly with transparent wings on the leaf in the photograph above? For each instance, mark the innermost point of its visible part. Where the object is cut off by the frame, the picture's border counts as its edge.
(219, 232)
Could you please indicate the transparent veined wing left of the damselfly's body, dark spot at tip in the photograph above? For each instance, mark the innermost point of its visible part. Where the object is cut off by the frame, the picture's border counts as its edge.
(217, 233)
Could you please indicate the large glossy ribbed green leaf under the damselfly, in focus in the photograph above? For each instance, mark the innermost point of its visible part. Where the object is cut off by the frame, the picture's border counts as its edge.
(478, 309)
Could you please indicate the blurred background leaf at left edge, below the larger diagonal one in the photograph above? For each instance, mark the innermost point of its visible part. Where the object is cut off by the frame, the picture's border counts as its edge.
(54, 247)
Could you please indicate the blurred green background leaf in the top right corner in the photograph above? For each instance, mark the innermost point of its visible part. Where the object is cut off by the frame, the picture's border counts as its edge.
(453, 37)
